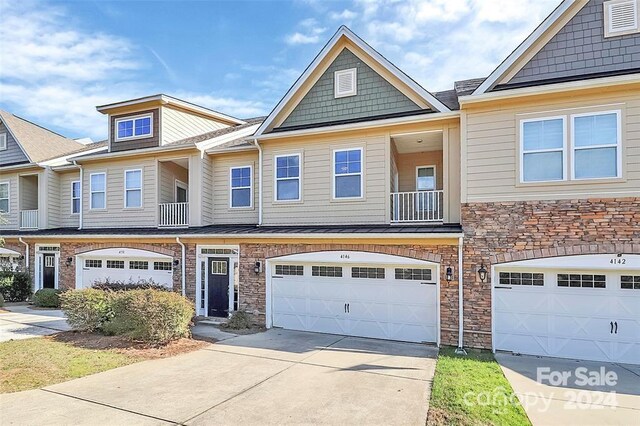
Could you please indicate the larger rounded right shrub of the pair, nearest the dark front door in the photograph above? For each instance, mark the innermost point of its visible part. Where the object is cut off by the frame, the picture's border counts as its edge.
(150, 315)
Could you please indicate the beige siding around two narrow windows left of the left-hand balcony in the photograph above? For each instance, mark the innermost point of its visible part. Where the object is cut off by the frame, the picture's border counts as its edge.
(115, 215)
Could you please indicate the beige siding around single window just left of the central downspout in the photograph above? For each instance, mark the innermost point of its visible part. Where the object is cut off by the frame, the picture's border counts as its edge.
(222, 213)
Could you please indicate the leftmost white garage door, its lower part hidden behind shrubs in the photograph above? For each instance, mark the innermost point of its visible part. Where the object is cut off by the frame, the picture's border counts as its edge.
(123, 265)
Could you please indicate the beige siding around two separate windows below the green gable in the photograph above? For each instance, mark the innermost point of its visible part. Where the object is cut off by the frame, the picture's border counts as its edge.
(317, 206)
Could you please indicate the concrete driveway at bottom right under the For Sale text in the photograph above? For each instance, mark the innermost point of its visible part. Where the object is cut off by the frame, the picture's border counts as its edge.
(557, 391)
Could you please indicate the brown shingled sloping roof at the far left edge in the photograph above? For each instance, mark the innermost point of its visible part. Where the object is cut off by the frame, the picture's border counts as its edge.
(36, 142)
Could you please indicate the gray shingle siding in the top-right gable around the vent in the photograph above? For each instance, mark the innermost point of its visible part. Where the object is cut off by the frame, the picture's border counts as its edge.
(580, 48)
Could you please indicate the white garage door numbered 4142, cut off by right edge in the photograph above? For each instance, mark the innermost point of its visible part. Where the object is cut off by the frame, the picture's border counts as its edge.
(582, 307)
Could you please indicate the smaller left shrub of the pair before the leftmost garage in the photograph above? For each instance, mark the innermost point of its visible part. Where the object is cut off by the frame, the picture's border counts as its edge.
(88, 309)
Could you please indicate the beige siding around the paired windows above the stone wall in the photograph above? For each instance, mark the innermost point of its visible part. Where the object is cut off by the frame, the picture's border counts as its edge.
(493, 148)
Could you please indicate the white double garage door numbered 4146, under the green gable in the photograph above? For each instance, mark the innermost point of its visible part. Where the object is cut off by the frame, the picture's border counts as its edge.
(376, 299)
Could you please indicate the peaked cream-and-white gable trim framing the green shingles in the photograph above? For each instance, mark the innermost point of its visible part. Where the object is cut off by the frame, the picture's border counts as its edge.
(345, 33)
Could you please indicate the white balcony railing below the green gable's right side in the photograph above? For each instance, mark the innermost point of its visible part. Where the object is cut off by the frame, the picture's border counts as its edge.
(419, 206)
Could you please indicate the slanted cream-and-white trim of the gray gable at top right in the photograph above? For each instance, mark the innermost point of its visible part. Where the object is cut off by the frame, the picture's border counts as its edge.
(560, 12)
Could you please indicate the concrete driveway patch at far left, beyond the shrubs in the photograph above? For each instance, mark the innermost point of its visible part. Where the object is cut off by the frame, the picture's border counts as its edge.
(21, 322)
